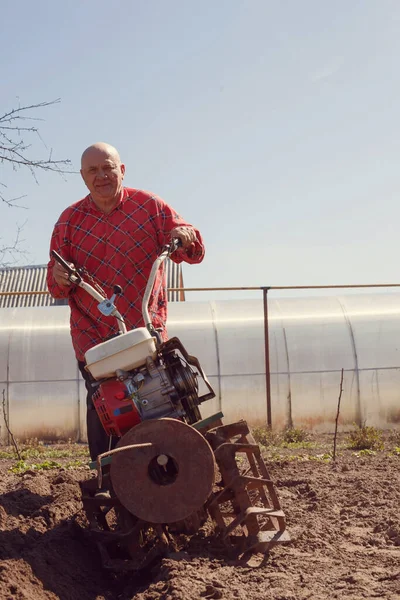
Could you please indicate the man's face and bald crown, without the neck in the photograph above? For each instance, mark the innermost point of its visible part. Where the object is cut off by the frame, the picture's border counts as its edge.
(102, 173)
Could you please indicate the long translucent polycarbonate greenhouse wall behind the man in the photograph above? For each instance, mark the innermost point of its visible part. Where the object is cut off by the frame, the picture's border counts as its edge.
(310, 339)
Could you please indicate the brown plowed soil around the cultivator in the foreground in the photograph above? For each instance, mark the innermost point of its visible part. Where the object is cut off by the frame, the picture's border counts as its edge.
(344, 521)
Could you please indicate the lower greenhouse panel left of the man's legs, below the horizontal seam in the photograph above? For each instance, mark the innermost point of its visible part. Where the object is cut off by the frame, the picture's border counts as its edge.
(44, 410)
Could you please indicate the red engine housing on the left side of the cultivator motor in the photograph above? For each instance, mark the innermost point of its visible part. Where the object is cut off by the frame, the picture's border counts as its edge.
(117, 412)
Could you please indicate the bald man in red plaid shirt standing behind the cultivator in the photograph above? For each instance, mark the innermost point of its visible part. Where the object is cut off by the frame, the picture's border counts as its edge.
(115, 234)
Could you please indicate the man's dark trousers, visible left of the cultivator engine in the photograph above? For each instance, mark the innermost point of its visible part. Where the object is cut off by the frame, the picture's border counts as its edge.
(98, 440)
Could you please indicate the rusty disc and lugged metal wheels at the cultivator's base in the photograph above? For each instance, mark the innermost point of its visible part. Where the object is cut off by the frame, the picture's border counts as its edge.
(166, 477)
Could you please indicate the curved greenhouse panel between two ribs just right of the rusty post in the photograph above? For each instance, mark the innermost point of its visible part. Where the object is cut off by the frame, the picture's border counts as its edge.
(319, 345)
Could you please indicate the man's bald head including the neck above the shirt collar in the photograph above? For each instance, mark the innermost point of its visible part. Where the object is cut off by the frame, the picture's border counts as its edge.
(103, 172)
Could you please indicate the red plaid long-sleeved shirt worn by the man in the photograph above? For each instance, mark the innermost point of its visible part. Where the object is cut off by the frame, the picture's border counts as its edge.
(118, 248)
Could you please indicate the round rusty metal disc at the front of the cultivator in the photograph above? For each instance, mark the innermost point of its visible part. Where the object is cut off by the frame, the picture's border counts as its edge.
(168, 481)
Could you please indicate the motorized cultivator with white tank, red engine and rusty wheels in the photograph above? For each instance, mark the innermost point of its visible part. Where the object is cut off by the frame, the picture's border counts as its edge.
(171, 470)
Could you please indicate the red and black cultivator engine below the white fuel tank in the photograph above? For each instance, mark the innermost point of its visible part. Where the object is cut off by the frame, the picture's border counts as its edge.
(166, 385)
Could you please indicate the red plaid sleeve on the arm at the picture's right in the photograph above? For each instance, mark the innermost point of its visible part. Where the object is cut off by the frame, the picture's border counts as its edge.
(167, 220)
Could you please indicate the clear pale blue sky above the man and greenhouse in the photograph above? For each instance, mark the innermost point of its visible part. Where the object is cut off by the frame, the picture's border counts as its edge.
(273, 126)
